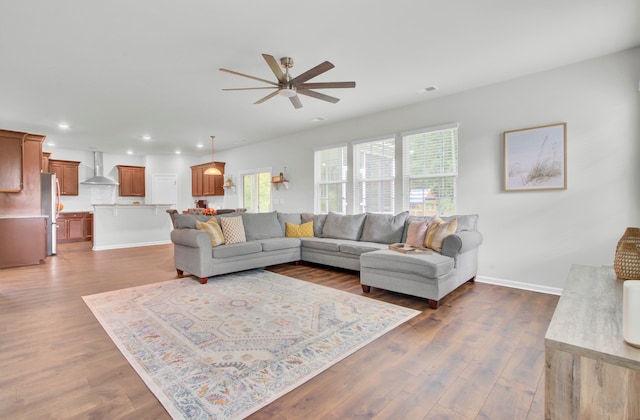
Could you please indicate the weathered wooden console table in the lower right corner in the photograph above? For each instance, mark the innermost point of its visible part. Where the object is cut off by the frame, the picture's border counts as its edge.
(591, 372)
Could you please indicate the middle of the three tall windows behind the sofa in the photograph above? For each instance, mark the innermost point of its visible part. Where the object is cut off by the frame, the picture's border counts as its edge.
(374, 177)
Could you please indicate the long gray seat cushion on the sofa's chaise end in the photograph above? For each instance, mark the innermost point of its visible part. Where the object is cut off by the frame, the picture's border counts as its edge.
(432, 265)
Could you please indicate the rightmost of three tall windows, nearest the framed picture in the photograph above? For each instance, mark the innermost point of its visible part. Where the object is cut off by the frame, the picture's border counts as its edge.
(430, 170)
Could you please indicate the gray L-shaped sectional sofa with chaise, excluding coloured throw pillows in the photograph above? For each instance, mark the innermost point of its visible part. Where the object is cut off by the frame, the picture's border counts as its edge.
(356, 242)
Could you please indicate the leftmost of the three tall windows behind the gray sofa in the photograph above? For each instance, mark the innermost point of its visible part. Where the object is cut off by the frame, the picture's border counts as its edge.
(331, 180)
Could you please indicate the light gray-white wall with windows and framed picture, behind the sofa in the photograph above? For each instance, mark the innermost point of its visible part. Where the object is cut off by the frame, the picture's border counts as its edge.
(529, 237)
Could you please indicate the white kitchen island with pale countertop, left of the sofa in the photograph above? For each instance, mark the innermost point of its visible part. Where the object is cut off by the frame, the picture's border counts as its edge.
(130, 225)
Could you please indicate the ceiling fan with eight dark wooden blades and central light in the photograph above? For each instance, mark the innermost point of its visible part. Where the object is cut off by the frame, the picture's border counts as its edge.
(289, 86)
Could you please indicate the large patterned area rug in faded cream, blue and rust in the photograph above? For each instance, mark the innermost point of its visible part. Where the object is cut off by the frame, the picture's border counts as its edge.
(227, 348)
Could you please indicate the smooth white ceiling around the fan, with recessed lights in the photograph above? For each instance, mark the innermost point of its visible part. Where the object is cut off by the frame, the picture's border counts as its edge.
(119, 69)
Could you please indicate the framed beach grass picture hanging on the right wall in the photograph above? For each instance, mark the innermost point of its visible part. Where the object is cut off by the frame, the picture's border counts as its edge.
(536, 158)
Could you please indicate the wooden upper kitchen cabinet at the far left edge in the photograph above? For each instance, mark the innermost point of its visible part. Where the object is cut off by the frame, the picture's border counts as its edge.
(11, 149)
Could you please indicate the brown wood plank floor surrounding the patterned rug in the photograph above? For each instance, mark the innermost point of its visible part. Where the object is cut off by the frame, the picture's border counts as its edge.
(480, 355)
